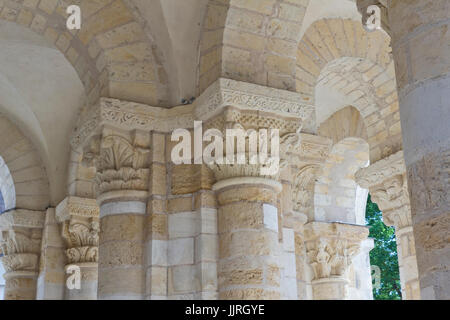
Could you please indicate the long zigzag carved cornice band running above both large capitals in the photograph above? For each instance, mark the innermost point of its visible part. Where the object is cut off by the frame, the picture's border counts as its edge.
(221, 94)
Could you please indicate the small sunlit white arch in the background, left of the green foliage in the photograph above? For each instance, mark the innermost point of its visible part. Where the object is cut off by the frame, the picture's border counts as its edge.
(337, 197)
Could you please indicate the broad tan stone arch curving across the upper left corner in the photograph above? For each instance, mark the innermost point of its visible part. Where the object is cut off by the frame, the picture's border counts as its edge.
(111, 53)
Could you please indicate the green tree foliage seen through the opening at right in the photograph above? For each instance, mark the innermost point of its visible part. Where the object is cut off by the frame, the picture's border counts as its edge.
(384, 254)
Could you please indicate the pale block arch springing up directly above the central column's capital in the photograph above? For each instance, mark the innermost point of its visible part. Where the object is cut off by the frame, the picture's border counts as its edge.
(253, 41)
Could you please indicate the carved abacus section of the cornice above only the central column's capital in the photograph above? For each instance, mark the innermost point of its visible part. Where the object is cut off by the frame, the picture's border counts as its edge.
(247, 96)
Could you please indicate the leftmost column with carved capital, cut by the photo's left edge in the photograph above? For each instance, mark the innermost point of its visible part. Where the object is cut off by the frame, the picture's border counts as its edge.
(21, 233)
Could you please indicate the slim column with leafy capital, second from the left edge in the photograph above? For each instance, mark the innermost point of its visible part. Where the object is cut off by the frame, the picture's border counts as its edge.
(80, 228)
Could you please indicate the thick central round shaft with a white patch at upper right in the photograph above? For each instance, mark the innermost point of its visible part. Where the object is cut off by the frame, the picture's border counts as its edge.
(249, 251)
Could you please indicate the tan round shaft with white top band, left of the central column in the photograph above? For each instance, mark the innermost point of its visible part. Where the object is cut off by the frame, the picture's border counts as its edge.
(121, 260)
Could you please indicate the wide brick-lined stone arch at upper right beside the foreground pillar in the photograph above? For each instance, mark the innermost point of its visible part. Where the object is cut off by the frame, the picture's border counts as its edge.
(338, 59)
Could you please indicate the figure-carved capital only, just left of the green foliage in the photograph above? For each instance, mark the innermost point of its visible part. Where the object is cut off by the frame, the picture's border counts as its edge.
(331, 246)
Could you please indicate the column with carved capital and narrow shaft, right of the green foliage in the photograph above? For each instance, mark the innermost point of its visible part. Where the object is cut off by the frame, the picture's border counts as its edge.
(386, 180)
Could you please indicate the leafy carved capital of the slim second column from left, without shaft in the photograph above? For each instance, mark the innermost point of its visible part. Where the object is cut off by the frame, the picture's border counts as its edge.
(80, 228)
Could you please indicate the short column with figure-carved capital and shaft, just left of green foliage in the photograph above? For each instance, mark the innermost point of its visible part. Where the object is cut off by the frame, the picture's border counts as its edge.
(330, 248)
